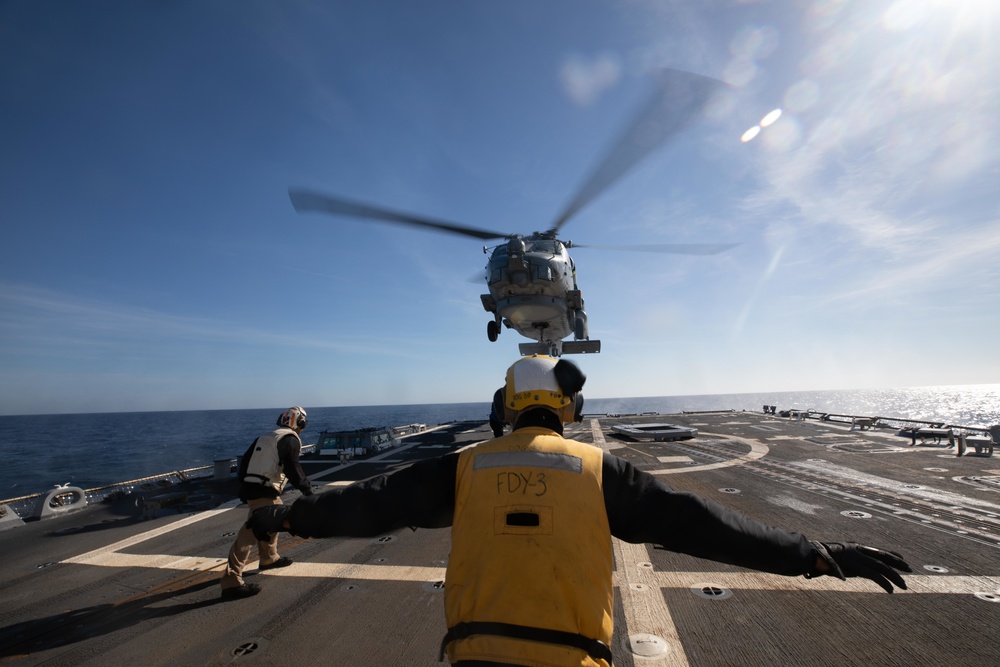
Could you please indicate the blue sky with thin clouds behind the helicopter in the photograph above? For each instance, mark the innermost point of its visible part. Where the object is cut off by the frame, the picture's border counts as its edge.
(152, 260)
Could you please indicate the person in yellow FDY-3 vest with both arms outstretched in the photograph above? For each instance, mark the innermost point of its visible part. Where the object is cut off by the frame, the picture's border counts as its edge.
(529, 579)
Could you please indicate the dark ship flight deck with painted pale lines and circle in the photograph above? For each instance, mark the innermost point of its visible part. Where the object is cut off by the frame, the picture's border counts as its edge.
(106, 585)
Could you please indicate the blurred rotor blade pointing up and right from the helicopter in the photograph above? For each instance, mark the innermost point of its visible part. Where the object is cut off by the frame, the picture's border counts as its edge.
(678, 99)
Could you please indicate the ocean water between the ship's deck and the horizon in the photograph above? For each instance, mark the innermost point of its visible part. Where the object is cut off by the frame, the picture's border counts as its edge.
(93, 450)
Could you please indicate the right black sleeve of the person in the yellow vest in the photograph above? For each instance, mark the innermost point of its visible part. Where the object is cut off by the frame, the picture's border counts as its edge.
(642, 509)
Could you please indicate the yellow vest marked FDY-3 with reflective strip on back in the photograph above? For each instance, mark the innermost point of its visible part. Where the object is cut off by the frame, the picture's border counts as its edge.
(529, 578)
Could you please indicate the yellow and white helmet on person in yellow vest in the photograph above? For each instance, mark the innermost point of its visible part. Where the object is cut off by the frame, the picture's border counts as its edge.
(541, 381)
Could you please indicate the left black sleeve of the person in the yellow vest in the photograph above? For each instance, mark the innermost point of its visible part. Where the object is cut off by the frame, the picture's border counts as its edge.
(421, 496)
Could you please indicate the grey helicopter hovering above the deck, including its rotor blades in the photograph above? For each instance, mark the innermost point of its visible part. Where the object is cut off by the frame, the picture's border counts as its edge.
(531, 279)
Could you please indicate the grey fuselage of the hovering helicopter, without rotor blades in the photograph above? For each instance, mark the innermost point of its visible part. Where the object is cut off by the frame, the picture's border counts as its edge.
(533, 290)
